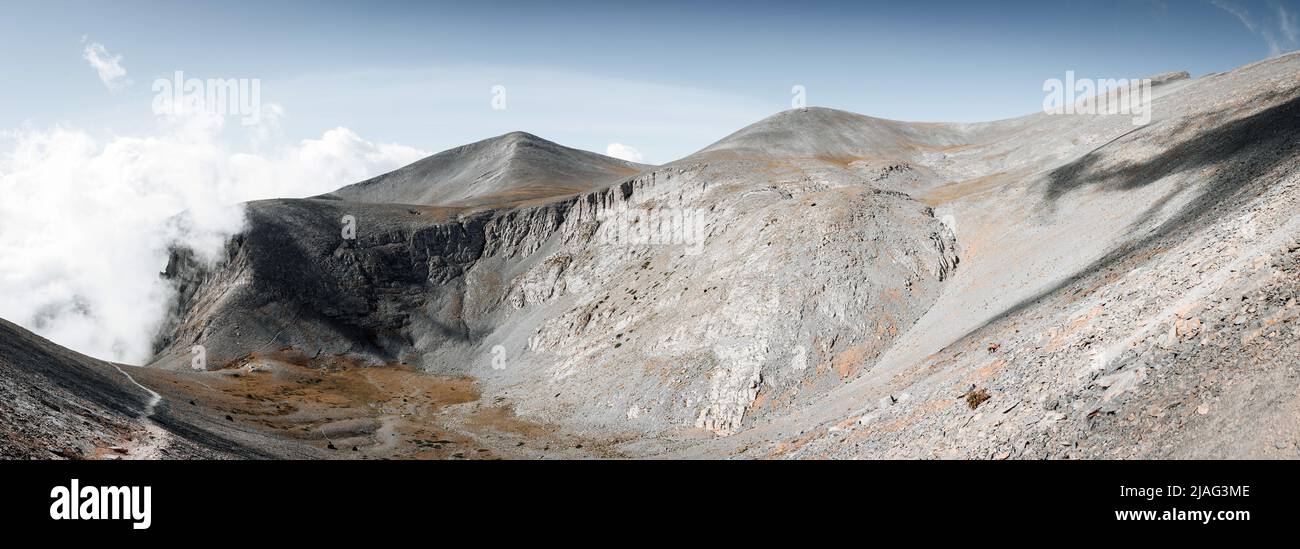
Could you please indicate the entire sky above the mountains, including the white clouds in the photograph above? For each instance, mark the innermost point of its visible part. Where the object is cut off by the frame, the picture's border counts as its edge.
(96, 161)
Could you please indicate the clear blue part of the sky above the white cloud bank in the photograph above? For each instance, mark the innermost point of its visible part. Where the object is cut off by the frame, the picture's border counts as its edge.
(665, 77)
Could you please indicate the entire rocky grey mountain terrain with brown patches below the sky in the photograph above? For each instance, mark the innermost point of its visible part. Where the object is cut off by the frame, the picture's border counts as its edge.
(817, 286)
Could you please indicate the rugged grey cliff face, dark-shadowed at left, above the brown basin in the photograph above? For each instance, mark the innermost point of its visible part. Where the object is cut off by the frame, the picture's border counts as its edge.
(677, 299)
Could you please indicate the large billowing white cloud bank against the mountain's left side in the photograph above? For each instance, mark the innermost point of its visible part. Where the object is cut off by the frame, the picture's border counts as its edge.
(84, 222)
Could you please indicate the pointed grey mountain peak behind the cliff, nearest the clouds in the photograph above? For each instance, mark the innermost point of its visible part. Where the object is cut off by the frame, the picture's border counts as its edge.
(506, 170)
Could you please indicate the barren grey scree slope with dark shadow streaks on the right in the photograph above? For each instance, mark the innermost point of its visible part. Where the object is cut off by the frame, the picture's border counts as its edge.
(1125, 292)
